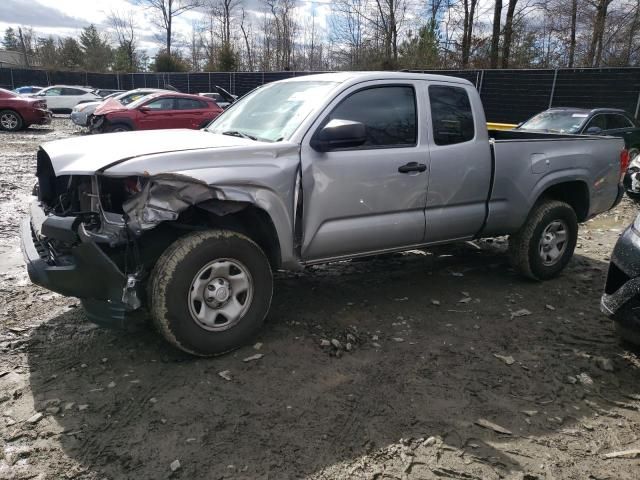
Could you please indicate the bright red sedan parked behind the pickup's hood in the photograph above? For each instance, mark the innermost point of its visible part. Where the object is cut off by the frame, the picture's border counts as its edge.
(159, 110)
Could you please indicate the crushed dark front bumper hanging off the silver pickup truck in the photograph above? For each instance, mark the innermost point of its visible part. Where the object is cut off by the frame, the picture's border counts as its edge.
(86, 272)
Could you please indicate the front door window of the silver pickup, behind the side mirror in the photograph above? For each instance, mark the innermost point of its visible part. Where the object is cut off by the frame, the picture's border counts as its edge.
(389, 114)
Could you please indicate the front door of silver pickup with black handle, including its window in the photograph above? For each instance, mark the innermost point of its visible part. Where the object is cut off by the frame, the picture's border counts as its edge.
(371, 197)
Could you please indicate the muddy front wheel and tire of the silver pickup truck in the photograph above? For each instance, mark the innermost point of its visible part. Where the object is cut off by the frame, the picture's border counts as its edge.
(210, 292)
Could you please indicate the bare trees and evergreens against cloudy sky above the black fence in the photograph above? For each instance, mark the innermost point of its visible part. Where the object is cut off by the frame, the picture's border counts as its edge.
(349, 34)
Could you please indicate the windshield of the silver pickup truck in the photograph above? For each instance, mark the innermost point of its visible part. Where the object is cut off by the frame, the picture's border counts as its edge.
(273, 112)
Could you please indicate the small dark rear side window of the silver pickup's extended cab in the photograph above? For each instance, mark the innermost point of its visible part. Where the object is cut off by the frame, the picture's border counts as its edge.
(451, 115)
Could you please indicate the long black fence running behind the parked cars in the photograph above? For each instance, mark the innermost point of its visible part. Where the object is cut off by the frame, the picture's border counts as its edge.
(507, 95)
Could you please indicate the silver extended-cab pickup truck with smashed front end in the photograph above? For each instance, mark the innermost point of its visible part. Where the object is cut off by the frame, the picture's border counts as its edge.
(191, 224)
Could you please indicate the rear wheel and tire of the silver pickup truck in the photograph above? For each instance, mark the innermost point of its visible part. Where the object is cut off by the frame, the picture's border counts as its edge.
(545, 243)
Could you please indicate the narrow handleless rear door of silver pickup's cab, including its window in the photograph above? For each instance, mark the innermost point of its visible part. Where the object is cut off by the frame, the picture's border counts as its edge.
(461, 165)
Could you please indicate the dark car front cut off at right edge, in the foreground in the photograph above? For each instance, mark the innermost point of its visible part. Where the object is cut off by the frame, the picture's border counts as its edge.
(621, 297)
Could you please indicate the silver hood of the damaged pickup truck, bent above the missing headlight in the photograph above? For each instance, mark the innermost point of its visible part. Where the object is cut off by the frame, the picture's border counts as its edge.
(86, 155)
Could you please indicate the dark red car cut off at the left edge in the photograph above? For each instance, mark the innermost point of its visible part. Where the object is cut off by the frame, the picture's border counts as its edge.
(18, 112)
